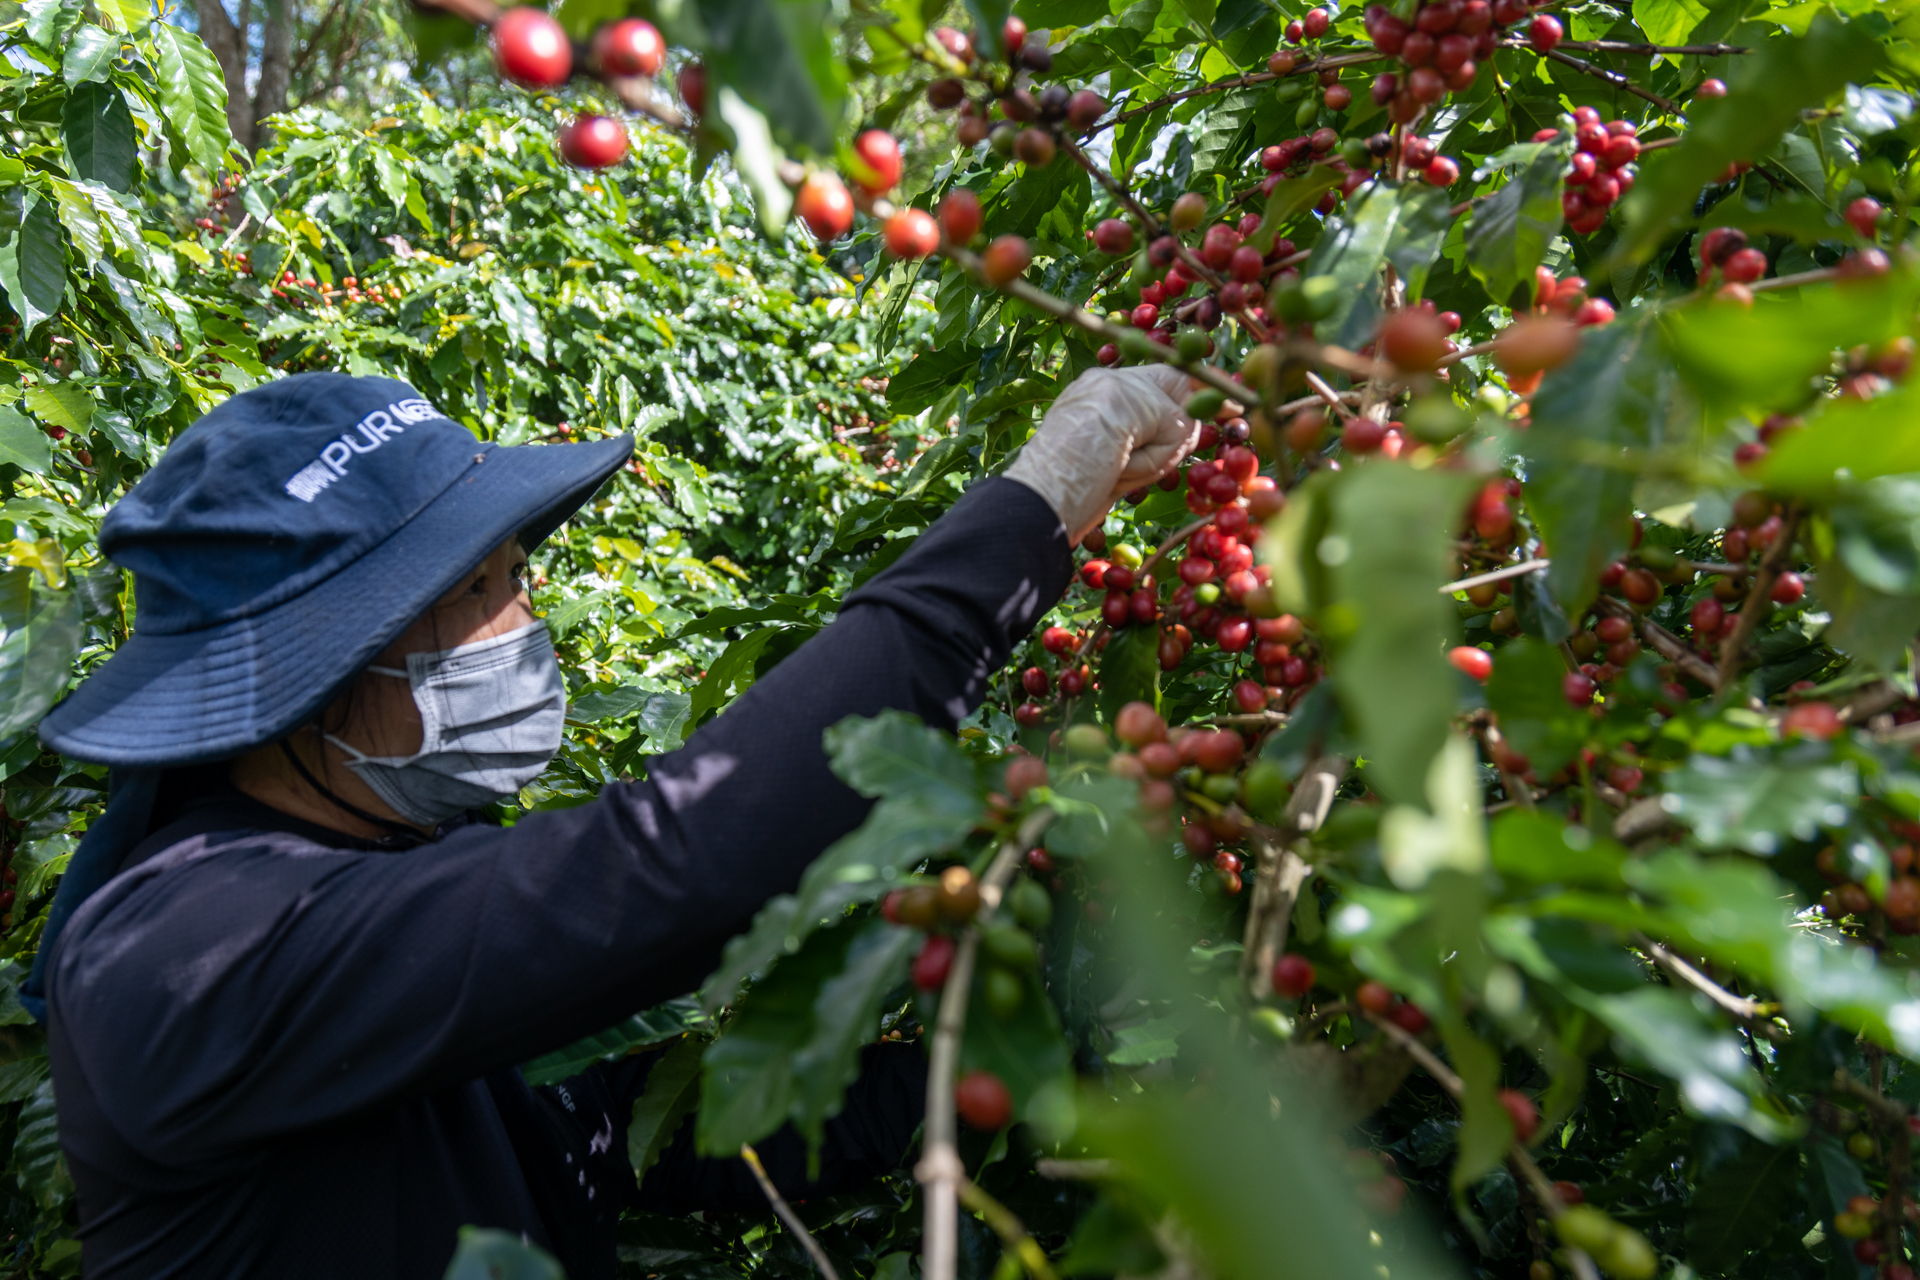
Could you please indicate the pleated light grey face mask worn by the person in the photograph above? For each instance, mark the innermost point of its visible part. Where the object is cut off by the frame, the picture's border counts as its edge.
(492, 717)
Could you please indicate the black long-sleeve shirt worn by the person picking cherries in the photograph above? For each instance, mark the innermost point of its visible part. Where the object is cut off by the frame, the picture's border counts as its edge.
(283, 1055)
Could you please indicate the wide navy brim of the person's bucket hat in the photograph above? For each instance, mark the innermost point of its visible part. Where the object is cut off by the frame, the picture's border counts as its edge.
(216, 694)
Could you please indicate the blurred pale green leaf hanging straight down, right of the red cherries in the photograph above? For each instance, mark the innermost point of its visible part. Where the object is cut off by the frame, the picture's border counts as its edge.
(1389, 552)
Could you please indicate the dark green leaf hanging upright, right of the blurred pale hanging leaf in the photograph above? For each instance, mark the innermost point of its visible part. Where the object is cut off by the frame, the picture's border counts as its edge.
(1591, 417)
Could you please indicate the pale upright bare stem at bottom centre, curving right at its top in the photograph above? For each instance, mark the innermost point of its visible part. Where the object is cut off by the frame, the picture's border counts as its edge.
(940, 1170)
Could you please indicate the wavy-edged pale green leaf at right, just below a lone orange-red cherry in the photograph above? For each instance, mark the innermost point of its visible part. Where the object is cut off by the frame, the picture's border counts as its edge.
(1758, 803)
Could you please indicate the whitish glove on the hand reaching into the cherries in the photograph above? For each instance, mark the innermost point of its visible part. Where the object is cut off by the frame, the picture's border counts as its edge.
(1111, 433)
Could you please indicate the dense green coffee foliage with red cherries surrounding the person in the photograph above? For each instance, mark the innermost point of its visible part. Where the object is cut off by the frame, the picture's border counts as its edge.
(1610, 964)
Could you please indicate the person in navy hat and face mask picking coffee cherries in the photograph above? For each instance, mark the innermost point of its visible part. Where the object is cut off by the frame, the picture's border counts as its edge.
(287, 978)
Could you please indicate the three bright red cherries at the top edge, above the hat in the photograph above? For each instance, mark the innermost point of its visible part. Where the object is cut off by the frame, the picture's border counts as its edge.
(533, 51)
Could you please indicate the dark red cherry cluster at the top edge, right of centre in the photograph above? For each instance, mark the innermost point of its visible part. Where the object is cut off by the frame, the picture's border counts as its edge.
(1443, 49)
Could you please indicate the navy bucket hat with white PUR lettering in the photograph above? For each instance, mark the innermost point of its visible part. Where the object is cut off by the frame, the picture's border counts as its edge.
(283, 542)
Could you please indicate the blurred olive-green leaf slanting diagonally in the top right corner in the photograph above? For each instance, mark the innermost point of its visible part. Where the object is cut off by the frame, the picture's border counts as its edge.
(1767, 91)
